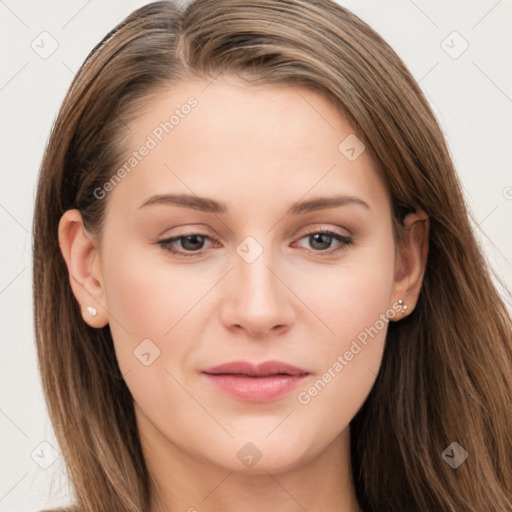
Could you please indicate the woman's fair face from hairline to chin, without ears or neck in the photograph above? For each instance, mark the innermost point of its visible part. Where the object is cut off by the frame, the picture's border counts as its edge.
(282, 253)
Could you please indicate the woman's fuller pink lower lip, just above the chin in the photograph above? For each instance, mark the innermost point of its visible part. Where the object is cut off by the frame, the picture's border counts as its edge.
(256, 389)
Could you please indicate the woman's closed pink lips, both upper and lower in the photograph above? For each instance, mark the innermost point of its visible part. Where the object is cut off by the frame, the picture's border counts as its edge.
(256, 383)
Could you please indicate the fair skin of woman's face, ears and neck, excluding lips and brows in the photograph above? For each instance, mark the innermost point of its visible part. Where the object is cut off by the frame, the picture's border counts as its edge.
(257, 149)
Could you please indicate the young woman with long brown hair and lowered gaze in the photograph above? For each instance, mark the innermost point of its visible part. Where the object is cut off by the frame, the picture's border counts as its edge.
(255, 276)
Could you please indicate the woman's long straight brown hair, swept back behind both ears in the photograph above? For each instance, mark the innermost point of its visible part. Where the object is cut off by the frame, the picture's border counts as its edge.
(446, 374)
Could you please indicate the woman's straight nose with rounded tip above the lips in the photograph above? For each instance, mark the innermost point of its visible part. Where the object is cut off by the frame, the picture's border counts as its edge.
(257, 298)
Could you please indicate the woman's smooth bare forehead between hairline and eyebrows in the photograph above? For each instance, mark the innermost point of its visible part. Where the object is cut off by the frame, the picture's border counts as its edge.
(226, 137)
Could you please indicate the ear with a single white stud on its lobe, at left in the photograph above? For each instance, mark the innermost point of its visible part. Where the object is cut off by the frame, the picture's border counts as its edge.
(81, 255)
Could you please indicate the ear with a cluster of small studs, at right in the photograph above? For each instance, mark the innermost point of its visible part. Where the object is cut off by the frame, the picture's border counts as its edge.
(411, 262)
